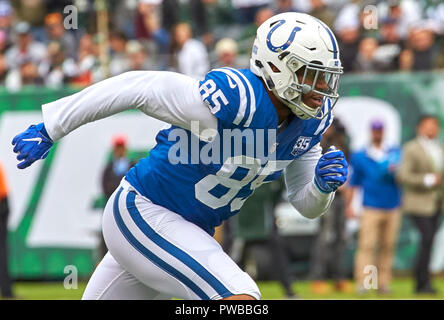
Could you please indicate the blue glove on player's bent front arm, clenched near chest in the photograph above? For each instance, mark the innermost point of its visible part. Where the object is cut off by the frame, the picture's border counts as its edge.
(331, 170)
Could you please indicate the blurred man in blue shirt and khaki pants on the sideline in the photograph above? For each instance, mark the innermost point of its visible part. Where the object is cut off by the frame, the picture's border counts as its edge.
(373, 170)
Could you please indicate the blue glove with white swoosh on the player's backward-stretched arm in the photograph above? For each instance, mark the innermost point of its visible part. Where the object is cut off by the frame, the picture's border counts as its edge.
(31, 145)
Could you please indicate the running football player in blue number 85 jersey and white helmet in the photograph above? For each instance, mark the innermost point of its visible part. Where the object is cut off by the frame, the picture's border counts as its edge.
(158, 224)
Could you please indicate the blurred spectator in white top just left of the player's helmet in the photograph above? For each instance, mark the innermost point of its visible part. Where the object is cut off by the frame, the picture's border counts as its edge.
(190, 54)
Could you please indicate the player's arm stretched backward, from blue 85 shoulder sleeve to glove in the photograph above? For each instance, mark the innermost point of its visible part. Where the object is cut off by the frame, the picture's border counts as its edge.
(223, 96)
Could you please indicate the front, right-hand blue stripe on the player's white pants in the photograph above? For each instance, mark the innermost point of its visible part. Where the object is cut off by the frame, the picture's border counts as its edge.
(173, 250)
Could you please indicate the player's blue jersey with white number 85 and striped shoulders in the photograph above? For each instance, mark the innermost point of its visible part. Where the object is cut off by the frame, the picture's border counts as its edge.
(208, 192)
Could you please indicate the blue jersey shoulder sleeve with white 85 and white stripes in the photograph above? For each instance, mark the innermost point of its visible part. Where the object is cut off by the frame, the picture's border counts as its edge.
(226, 92)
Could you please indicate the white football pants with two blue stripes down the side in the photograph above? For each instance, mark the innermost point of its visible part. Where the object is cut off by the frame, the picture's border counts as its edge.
(154, 253)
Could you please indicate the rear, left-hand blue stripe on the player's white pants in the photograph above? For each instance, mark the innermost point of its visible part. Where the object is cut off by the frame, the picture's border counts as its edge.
(151, 256)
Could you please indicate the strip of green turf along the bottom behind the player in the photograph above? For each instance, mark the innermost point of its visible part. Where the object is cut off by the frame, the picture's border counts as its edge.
(402, 289)
